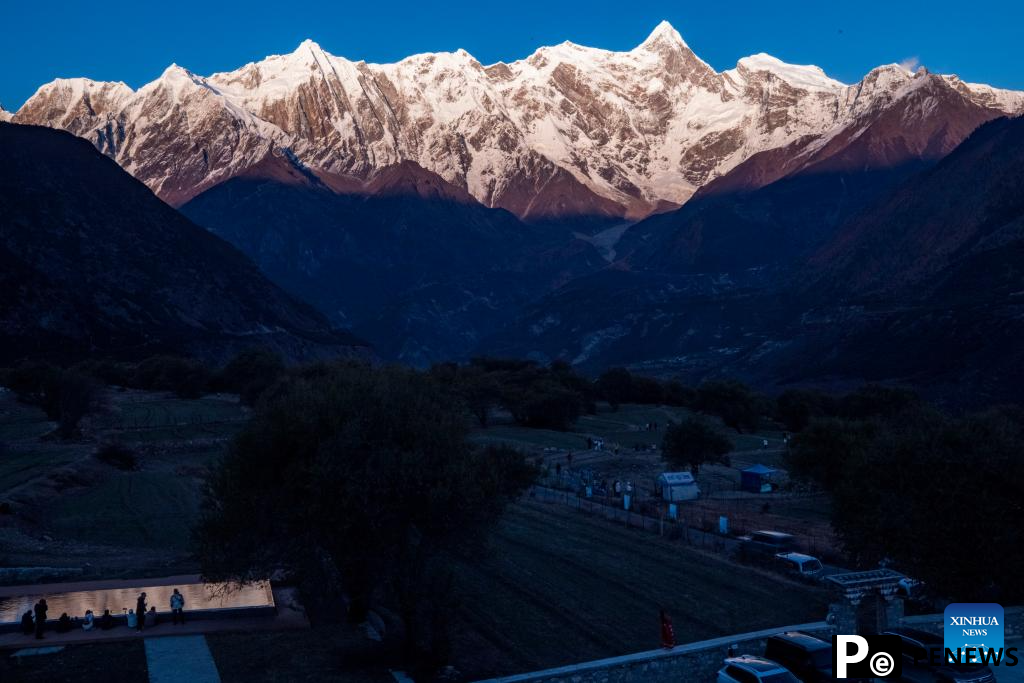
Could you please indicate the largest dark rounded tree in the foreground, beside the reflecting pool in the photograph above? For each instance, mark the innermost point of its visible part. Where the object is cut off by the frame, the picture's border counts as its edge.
(361, 474)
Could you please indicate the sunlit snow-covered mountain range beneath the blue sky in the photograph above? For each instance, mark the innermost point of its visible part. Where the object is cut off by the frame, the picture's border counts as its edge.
(570, 132)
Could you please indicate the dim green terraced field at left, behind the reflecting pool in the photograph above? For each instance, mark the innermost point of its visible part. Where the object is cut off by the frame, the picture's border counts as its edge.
(94, 505)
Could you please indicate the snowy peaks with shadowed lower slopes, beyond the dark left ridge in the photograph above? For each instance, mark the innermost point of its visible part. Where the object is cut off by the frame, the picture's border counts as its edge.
(609, 208)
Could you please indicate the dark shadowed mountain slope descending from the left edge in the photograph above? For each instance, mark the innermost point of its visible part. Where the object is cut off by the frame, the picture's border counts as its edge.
(95, 264)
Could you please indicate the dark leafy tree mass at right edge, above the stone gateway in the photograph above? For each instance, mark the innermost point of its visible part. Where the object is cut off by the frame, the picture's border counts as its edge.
(940, 497)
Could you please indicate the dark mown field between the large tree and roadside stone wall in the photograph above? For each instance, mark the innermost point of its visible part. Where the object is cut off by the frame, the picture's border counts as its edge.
(561, 587)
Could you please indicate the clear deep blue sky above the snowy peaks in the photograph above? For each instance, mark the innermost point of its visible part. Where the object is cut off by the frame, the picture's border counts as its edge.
(135, 41)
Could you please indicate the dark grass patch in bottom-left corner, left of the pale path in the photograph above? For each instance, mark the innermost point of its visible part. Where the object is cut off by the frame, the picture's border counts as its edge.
(96, 662)
